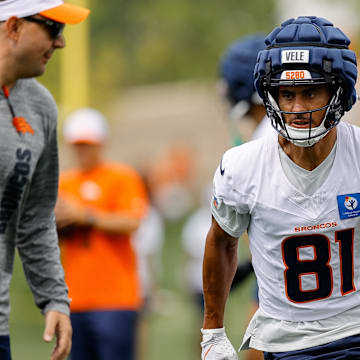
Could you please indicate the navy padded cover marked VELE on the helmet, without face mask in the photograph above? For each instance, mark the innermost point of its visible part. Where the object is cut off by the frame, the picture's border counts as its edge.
(326, 49)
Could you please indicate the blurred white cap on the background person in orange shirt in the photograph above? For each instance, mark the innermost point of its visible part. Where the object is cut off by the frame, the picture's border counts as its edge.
(85, 126)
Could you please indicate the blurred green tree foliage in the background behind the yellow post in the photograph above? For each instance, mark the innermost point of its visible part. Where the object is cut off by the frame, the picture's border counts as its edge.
(143, 41)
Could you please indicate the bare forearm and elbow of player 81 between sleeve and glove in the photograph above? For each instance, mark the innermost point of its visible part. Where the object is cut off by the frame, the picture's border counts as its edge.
(220, 262)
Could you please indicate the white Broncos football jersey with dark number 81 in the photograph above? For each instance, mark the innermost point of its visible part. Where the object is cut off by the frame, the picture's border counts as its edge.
(305, 249)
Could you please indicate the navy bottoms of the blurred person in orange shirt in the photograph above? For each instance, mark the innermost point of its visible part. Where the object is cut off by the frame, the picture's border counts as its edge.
(103, 335)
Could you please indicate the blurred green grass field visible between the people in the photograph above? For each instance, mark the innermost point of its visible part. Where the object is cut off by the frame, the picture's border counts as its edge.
(171, 332)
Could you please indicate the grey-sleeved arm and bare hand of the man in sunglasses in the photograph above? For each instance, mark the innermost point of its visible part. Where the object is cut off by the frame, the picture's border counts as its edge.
(37, 243)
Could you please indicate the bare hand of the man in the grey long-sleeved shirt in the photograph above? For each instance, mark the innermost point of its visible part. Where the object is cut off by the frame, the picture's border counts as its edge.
(58, 324)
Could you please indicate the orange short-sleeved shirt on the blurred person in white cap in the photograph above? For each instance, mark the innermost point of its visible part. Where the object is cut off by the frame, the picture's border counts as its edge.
(100, 267)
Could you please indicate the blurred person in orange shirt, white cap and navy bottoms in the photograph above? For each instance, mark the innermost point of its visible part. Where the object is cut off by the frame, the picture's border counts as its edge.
(99, 207)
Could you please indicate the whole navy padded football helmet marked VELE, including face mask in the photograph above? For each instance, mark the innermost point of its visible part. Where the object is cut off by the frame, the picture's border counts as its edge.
(307, 51)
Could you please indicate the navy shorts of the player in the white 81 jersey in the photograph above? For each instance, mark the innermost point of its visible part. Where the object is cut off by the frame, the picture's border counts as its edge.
(343, 349)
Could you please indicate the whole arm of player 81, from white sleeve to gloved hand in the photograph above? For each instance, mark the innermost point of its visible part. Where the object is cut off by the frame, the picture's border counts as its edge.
(230, 219)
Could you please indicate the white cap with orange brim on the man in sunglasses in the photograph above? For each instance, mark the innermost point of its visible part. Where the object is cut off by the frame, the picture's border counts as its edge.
(53, 9)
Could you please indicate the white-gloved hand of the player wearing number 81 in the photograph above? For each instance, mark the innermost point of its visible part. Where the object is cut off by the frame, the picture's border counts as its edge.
(216, 346)
